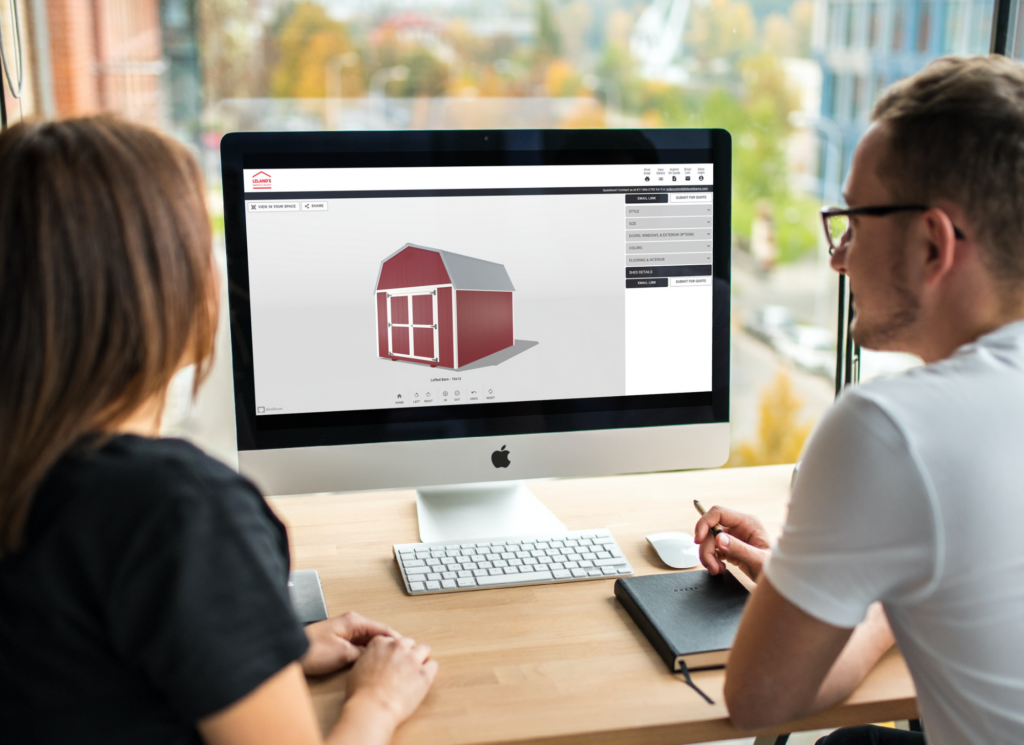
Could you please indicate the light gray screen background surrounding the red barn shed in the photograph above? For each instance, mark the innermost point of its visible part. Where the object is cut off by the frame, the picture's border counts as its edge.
(313, 275)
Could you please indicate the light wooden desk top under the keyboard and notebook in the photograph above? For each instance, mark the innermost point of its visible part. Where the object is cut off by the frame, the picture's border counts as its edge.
(559, 664)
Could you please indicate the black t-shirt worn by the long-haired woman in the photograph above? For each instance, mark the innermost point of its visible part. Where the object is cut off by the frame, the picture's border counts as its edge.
(152, 591)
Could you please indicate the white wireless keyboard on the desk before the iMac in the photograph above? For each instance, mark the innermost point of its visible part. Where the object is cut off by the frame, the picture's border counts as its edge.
(452, 567)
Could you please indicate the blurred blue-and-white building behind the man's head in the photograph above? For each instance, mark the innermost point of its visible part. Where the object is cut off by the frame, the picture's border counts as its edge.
(864, 47)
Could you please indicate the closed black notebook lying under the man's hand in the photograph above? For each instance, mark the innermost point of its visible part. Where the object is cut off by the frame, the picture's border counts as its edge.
(691, 618)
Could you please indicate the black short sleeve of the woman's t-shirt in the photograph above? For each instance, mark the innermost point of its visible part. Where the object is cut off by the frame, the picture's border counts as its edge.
(199, 602)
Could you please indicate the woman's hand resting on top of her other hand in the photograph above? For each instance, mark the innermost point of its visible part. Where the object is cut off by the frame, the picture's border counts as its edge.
(392, 677)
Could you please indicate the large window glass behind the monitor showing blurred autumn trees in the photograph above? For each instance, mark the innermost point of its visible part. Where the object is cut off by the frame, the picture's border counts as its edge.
(792, 80)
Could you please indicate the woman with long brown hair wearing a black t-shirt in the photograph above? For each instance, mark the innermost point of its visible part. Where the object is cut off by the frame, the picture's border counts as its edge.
(143, 585)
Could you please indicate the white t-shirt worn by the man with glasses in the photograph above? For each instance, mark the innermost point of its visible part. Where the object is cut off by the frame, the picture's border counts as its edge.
(912, 493)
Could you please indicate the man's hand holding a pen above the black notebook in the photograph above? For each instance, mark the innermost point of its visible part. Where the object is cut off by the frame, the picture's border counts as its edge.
(744, 542)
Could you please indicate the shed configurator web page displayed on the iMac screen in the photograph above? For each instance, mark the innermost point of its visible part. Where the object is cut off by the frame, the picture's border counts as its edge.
(372, 289)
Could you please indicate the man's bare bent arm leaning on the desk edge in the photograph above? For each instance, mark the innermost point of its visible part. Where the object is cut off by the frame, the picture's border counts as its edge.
(786, 664)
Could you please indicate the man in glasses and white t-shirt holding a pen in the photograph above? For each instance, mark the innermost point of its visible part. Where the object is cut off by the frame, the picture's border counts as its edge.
(906, 512)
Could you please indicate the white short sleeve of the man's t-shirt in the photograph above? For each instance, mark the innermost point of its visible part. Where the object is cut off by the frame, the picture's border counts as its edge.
(861, 527)
